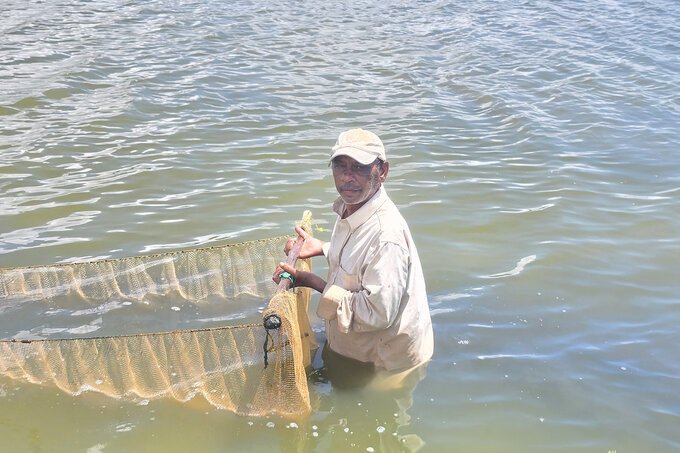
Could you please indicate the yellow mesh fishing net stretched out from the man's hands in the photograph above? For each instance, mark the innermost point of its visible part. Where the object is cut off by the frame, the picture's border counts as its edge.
(254, 369)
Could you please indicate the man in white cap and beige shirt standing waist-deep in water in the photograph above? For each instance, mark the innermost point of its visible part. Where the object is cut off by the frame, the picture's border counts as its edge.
(374, 300)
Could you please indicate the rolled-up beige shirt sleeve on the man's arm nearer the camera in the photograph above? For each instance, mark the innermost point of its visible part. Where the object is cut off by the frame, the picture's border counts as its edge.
(375, 305)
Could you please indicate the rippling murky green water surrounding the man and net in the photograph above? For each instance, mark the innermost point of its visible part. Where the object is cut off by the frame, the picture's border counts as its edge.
(534, 151)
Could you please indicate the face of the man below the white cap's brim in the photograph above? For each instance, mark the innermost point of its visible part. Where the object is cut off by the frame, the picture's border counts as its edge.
(356, 183)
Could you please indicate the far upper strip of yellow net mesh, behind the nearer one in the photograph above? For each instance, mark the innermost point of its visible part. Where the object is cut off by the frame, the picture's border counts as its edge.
(225, 271)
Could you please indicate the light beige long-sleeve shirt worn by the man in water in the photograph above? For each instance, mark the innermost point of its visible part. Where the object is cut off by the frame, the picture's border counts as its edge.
(375, 301)
